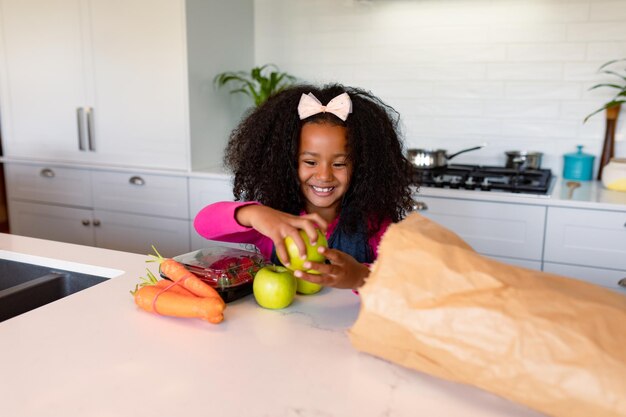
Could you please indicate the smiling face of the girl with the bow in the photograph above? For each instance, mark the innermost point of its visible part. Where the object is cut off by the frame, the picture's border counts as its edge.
(324, 170)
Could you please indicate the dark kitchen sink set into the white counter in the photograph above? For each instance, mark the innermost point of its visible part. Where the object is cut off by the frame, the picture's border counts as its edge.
(24, 286)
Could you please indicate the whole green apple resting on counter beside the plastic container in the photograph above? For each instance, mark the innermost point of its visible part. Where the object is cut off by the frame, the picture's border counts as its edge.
(274, 287)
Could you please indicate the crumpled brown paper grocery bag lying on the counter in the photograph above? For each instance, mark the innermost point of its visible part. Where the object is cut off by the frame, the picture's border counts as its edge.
(432, 304)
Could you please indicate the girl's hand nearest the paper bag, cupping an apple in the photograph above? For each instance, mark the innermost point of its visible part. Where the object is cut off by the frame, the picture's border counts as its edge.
(343, 271)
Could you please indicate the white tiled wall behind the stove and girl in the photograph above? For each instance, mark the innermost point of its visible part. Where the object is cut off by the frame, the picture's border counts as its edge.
(512, 73)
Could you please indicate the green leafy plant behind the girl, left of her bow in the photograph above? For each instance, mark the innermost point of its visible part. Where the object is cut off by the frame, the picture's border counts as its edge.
(259, 83)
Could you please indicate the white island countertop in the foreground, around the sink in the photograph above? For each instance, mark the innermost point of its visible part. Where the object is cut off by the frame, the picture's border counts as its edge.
(95, 354)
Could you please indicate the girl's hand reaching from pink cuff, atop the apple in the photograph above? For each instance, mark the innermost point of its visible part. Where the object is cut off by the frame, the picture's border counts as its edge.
(277, 225)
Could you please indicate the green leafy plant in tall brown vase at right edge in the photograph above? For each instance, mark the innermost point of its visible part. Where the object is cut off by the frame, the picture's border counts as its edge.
(612, 108)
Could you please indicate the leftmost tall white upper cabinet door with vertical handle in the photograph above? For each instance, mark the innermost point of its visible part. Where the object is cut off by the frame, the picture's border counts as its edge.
(43, 79)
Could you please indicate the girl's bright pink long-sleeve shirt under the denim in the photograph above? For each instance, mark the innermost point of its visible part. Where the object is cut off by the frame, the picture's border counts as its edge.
(217, 222)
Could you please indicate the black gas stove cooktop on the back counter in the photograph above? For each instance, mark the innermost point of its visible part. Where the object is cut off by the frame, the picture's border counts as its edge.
(486, 178)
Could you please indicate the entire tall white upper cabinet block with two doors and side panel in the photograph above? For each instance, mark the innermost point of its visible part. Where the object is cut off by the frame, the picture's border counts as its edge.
(120, 83)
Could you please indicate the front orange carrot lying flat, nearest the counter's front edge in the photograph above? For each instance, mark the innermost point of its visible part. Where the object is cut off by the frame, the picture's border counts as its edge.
(176, 305)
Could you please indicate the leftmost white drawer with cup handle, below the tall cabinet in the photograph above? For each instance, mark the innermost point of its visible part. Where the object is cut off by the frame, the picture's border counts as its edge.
(48, 184)
